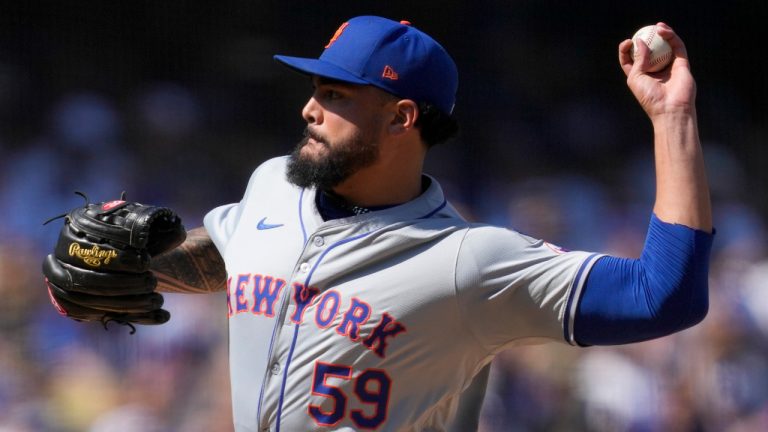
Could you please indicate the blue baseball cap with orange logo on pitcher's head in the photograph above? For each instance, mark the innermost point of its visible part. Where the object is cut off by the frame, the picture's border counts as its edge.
(393, 56)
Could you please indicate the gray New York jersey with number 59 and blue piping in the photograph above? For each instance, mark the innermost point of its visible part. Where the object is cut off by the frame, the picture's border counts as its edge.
(378, 321)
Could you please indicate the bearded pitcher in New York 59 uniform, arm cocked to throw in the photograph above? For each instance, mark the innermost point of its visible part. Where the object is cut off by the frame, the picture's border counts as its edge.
(358, 298)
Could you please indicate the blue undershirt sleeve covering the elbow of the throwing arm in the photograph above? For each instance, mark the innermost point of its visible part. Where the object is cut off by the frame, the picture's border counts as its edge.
(664, 291)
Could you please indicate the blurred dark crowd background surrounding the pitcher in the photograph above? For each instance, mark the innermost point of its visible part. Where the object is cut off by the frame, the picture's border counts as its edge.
(176, 102)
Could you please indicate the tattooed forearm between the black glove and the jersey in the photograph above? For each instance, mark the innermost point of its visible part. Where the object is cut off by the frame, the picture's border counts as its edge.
(194, 267)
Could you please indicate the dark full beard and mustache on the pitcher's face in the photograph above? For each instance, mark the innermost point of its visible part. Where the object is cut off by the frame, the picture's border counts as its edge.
(337, 163)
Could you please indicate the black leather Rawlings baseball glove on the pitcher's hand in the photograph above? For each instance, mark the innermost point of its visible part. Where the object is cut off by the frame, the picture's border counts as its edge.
(99, 270)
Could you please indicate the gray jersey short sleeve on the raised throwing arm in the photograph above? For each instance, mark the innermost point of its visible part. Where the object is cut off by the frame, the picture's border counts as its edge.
(515, 289)
